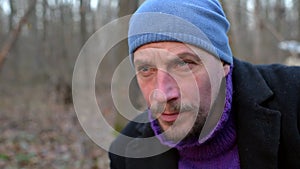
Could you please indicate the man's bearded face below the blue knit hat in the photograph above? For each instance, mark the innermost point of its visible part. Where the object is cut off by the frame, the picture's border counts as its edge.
(176, 85)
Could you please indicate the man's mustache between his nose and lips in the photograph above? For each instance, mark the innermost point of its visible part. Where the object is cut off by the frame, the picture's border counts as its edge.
(157, 107)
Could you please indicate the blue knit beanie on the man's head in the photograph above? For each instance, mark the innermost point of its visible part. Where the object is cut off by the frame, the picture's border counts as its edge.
(201, 23)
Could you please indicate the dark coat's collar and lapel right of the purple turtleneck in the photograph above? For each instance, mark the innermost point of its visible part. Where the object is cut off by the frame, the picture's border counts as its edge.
(258, 127)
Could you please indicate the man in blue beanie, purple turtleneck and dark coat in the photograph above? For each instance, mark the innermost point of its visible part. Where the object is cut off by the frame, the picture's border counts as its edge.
(206, 109)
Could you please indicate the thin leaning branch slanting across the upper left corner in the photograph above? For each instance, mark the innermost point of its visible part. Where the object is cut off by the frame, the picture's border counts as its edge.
(14, 34)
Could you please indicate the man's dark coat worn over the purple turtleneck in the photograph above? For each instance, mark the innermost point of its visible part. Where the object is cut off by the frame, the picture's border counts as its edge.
(266, 103)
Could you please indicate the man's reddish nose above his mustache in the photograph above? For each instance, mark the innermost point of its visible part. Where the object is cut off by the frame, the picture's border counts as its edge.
(166, 87)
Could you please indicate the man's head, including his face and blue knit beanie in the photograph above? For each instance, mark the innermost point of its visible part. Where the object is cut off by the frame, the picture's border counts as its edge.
(176, 47)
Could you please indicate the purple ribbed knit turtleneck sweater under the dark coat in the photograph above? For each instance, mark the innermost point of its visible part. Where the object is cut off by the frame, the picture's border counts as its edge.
(219, 151)
